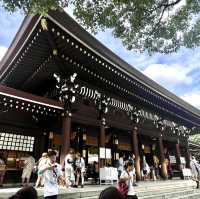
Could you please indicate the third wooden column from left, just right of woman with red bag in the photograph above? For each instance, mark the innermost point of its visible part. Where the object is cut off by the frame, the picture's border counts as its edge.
(136, 152)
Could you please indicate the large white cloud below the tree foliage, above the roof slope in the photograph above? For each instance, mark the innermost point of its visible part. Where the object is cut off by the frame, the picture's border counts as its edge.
(169, 76)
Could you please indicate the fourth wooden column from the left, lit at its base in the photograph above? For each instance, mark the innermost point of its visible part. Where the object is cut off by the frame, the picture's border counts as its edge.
(162, 157)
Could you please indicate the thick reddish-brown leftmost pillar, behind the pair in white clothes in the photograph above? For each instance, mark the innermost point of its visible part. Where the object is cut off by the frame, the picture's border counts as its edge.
(66, 129)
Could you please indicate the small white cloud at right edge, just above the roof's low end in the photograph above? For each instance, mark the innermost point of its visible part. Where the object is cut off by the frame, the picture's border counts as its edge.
(192, 98)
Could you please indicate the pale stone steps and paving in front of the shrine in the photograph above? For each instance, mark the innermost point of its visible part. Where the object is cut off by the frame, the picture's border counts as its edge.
(92, 191)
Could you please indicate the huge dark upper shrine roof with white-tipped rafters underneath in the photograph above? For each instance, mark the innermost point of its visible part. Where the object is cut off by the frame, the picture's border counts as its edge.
(29, 65)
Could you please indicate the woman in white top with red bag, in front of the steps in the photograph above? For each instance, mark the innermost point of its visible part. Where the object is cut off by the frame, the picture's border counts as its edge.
(127, 176)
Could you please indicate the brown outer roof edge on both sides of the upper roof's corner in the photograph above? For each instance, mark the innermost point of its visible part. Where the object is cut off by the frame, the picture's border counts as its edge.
(64, 21)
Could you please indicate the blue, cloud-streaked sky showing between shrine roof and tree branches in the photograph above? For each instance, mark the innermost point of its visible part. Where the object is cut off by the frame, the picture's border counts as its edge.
(178, 72)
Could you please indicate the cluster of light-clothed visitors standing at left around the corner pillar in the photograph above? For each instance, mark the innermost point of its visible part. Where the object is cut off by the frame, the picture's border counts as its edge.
(50, 174)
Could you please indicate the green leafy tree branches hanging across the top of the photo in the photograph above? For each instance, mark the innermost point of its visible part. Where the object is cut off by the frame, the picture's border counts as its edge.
(144, 25)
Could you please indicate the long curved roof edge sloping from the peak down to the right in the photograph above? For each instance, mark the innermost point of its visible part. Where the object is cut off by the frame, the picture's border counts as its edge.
(65, 22)
